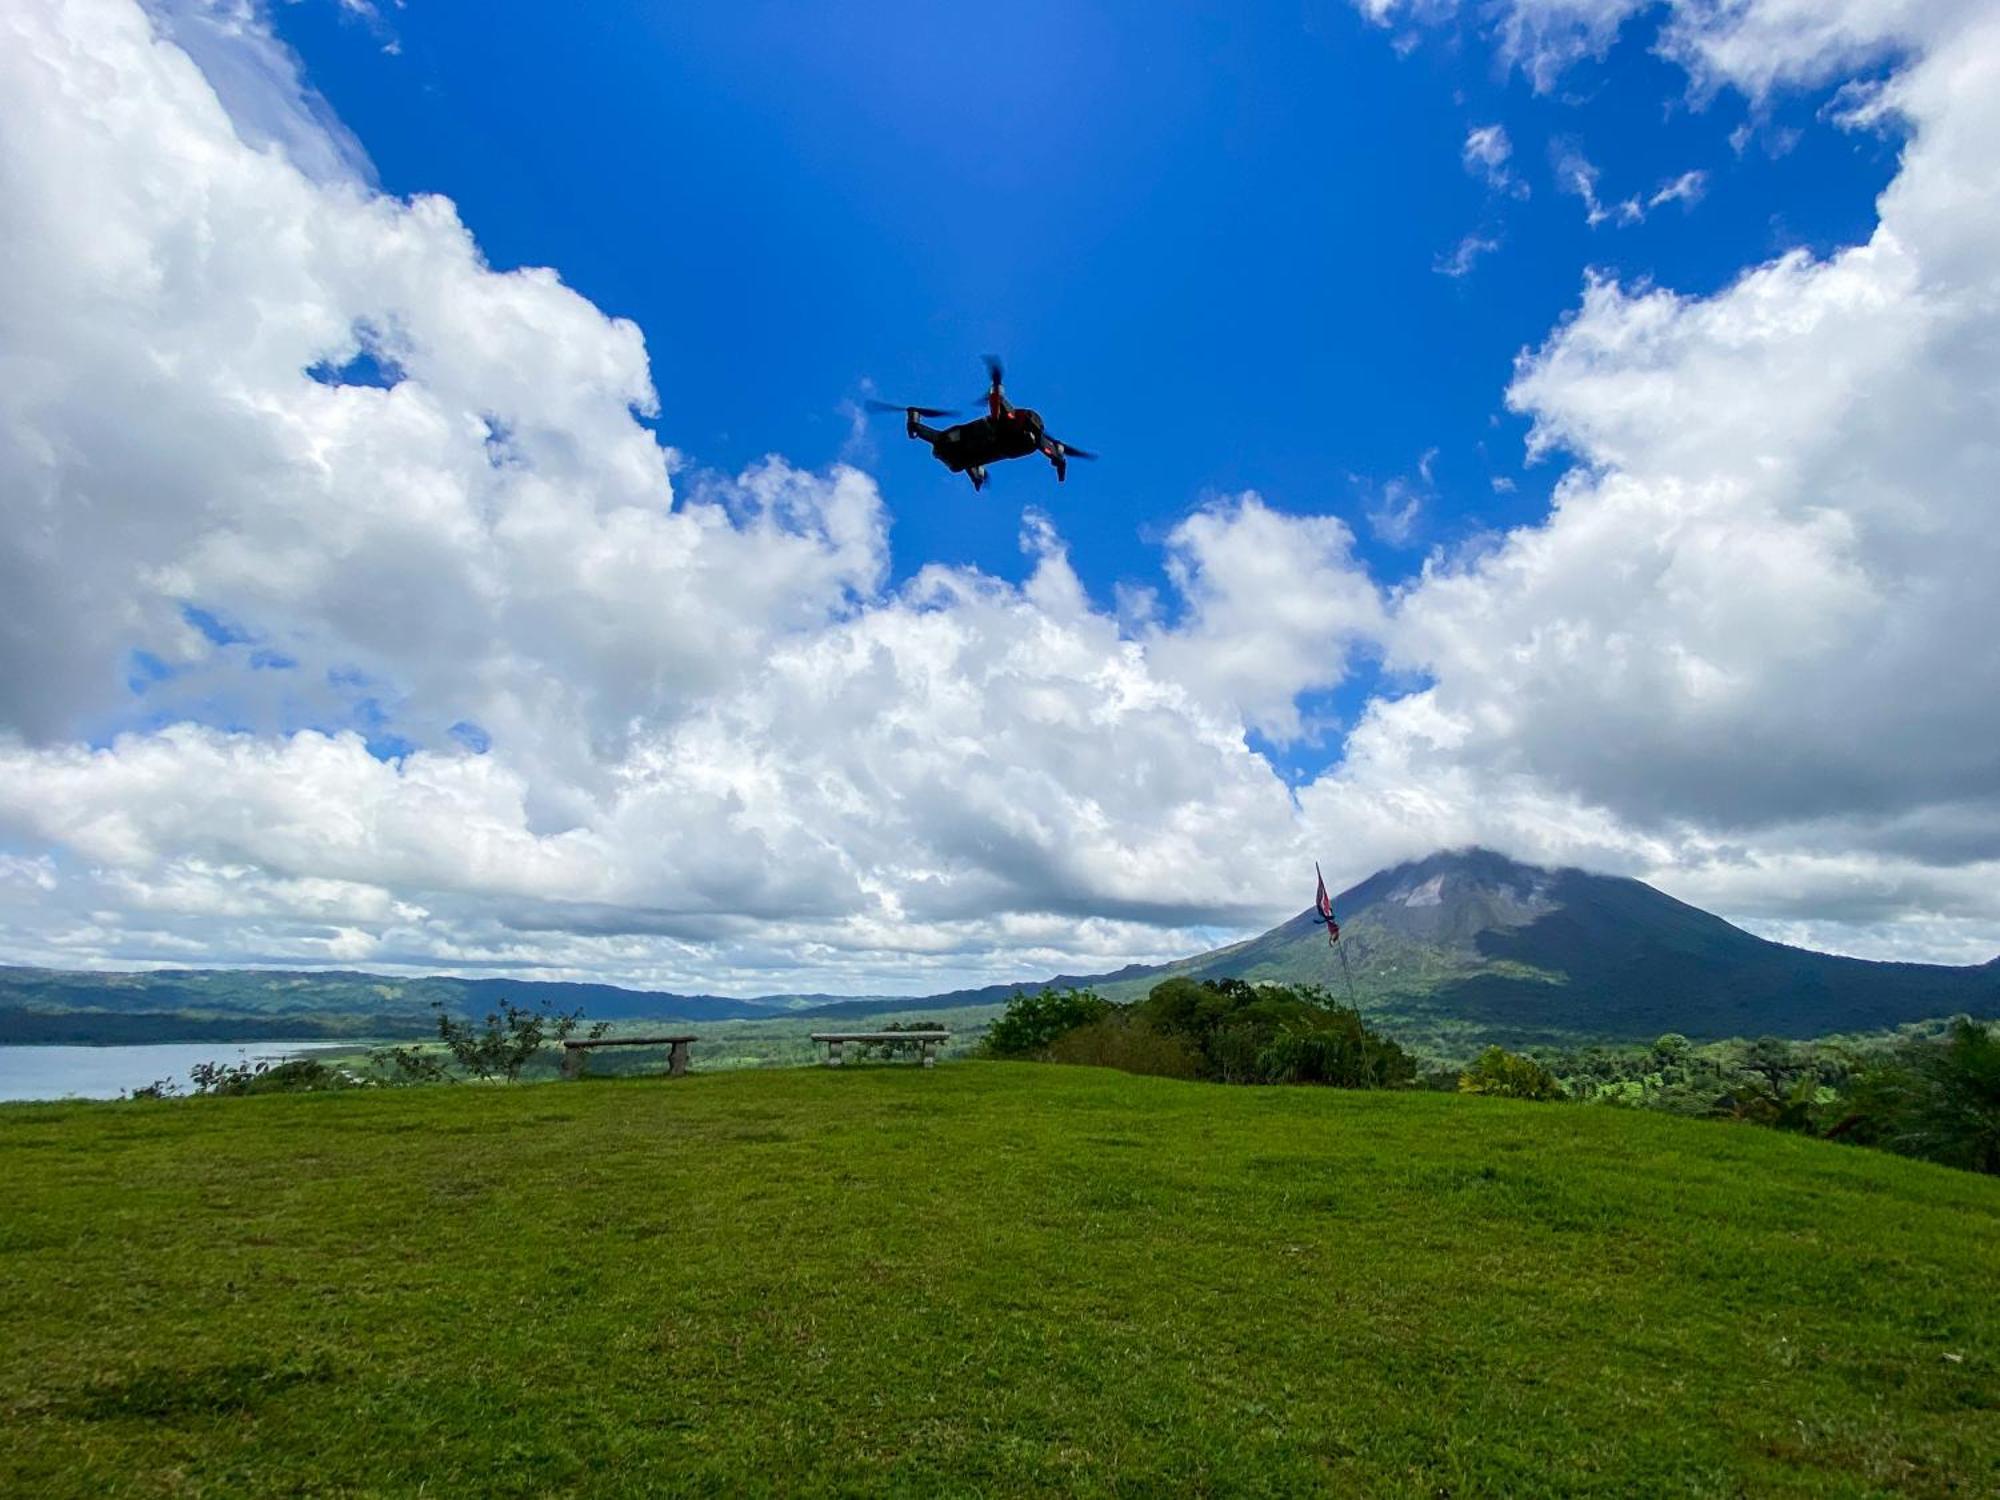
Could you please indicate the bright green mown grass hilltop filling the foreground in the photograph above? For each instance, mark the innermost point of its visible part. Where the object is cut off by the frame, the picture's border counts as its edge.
(983, 1279)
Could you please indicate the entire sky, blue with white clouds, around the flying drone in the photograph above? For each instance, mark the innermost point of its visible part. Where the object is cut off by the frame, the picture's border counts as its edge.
(429, 661)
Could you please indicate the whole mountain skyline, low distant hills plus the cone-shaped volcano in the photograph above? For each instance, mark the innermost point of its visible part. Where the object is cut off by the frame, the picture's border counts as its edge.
(1463, 941)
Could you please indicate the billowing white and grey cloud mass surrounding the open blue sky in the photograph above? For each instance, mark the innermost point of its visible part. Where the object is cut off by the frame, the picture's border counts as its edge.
(361, 617)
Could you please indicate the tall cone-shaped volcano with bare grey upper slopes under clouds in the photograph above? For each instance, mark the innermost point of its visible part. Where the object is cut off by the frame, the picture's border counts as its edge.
(1479, 943)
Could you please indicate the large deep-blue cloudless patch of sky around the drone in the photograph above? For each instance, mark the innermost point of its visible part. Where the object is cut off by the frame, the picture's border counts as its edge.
(1205, 237)
